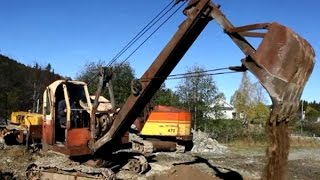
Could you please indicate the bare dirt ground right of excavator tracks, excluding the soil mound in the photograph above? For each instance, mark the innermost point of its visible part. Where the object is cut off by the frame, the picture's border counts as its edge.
(246, 163)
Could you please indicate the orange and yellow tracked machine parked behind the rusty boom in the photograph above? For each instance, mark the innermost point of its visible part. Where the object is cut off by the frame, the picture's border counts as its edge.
(164, 128)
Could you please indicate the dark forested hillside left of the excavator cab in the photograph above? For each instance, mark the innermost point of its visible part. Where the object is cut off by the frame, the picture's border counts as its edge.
(22, 86)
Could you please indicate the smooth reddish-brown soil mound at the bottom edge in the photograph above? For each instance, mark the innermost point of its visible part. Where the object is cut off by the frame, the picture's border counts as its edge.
(184, 172)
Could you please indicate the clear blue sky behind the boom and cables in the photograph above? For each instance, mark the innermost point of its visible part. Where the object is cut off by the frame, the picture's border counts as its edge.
(68, 34)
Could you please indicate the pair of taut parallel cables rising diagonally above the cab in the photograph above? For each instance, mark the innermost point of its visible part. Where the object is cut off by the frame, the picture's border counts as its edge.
(141, 33)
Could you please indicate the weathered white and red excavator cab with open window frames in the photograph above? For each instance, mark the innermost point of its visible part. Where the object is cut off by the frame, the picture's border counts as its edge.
(71, 134)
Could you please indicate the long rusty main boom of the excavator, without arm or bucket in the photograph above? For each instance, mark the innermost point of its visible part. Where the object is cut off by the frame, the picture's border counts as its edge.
(197, 18)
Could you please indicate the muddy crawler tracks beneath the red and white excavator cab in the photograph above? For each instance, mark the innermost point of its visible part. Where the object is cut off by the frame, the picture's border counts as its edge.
(58, 166)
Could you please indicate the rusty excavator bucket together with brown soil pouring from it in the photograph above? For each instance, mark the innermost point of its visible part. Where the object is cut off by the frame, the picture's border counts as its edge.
(283, 63)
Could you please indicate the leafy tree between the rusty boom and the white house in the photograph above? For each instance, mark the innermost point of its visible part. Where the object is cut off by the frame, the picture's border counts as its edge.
(200, 95)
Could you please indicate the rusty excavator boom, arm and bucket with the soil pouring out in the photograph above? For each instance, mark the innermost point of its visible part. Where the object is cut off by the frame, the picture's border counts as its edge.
(282, 63)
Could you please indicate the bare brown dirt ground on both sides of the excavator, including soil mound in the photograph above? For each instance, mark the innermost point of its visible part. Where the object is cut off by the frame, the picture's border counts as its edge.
(236, 163)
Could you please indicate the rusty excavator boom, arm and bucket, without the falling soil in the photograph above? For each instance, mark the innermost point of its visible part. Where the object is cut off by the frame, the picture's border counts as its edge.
(262, 62)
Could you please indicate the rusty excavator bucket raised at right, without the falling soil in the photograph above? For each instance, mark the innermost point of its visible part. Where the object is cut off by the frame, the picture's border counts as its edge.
(283, 63)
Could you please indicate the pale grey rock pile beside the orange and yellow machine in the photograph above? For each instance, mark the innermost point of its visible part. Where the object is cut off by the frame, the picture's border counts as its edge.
(202, 143)
